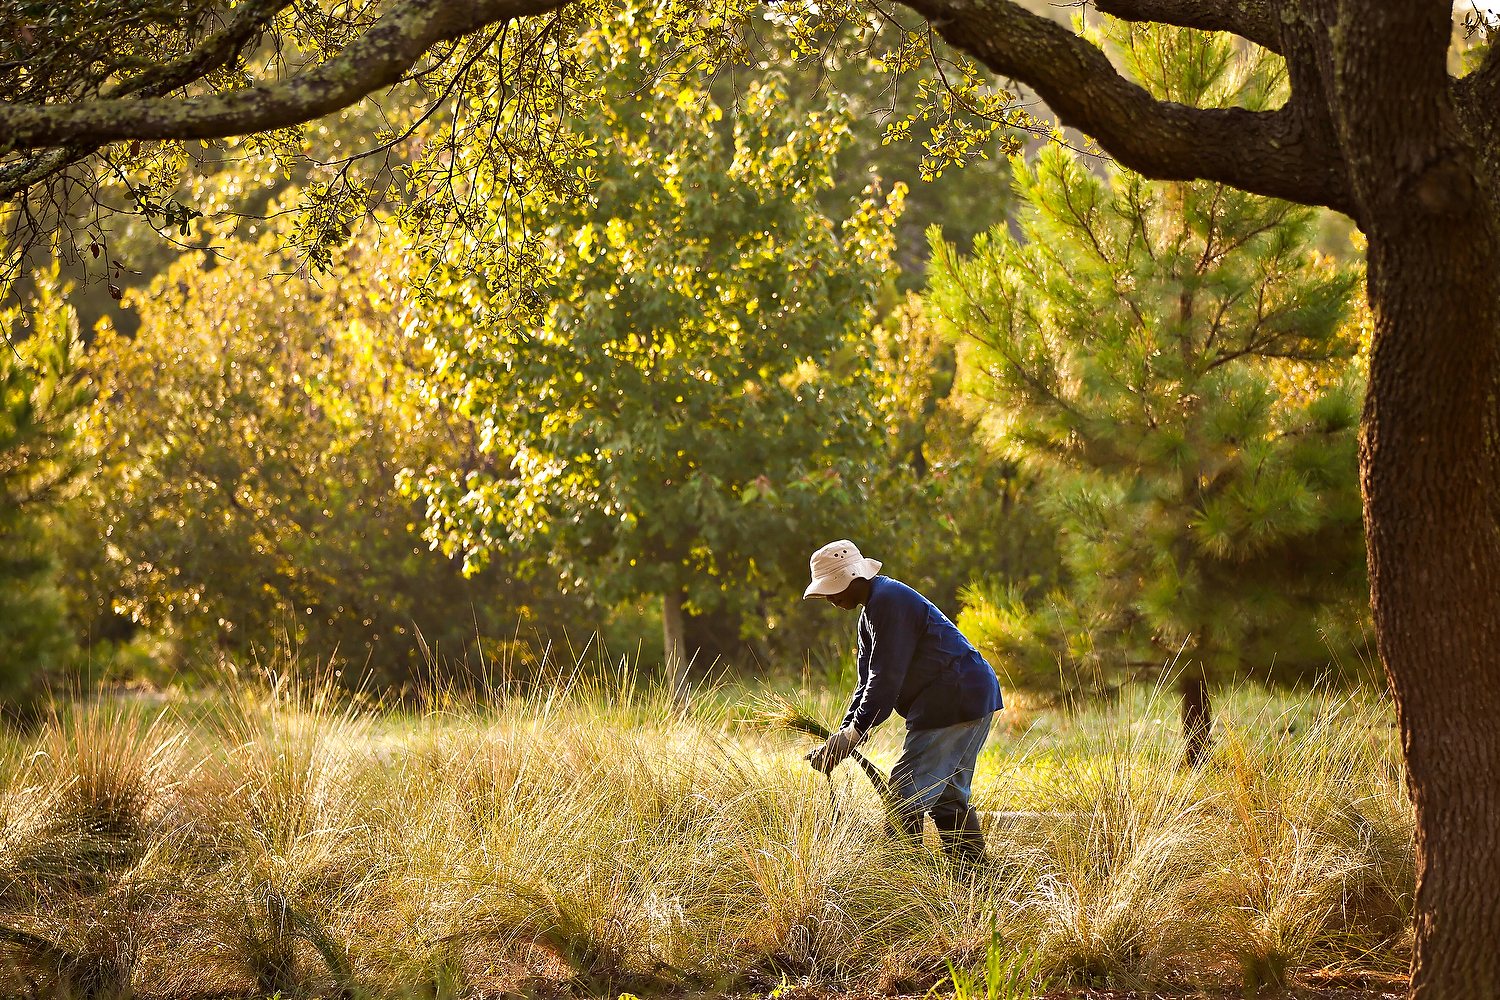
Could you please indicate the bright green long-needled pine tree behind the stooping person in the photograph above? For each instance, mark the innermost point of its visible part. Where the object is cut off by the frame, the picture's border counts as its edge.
(1175, 361)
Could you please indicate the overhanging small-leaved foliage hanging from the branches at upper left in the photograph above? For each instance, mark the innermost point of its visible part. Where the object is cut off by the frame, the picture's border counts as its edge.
(502, 112)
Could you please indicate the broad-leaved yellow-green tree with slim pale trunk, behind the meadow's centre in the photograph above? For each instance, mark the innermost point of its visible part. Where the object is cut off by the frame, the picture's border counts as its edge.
(688, 410)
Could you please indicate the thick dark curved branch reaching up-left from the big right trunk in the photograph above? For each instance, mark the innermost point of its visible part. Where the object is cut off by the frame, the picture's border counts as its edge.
(1268, 154)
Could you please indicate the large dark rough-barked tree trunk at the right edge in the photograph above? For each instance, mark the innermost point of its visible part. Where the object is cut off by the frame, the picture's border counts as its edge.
(1426, 469)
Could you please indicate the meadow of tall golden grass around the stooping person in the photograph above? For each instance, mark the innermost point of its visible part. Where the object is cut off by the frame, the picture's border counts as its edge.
(589, 839)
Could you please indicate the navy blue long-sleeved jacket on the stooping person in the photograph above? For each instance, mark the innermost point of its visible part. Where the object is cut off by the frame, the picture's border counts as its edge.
(916, 662)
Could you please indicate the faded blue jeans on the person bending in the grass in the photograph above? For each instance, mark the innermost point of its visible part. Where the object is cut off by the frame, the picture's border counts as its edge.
(937, 771)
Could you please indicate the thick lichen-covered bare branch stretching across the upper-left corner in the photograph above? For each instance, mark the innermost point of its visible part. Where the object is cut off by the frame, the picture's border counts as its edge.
(374, 61)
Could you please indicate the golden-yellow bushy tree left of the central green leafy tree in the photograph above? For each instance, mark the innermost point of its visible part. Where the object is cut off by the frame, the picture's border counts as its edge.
(250, 442)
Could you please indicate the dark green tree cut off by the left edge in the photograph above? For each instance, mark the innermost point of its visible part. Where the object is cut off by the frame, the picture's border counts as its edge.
(43, 397)
